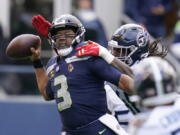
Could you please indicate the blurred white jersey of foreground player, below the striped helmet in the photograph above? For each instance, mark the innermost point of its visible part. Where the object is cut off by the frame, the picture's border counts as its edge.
(164, 120)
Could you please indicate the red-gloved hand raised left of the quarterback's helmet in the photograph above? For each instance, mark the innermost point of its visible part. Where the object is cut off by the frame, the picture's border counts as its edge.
(41, 25)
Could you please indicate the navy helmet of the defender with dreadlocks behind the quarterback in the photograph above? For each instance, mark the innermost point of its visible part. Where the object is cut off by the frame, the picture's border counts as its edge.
(130, 43)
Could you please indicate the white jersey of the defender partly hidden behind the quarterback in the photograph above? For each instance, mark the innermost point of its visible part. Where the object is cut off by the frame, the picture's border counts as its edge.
(117, 106)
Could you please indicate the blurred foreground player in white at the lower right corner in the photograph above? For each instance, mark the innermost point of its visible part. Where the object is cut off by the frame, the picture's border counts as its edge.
(156, 87)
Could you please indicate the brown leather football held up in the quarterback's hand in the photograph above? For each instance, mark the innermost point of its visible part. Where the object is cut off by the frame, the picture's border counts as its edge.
(19, 47)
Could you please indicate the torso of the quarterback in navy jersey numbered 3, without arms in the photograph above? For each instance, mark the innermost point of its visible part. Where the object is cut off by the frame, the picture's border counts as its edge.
(79, 94)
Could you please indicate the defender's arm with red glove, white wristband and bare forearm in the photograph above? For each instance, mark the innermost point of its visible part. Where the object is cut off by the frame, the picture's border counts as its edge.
(94, 49)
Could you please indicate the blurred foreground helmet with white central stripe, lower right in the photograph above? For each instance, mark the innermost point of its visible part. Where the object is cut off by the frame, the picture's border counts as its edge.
(155, 82)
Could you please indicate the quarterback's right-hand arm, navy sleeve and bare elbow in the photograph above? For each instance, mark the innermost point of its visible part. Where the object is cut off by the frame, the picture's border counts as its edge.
(108, 73)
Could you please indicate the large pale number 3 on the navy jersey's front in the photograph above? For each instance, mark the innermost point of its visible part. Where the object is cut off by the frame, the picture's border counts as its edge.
(63, 93)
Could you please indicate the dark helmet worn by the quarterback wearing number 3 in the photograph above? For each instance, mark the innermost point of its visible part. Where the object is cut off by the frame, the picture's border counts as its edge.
(65, 22)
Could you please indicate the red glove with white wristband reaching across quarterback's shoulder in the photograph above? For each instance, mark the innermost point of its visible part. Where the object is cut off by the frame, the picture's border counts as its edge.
(94, 49)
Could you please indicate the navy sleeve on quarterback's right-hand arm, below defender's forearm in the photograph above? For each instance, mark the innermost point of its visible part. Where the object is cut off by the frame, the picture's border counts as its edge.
(105, 71)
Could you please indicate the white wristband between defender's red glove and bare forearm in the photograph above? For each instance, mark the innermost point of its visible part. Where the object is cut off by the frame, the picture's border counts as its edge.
(105, 54)
